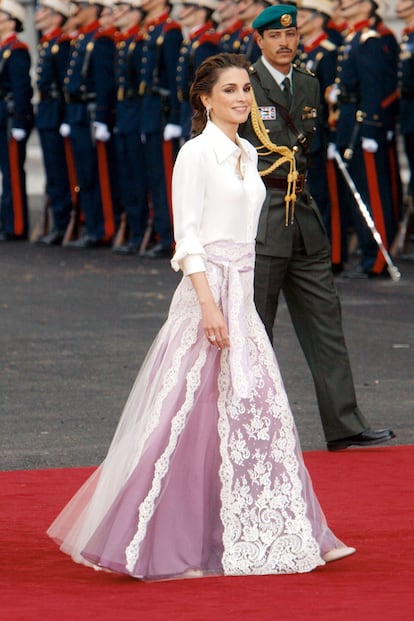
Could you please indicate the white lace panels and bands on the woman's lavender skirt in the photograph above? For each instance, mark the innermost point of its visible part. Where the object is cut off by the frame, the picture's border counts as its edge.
(266, 529)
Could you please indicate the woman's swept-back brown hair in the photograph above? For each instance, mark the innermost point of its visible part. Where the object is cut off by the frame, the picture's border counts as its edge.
(205, 79)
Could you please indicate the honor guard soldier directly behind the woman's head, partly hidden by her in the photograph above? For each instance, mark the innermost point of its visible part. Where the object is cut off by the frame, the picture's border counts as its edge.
(200, 43)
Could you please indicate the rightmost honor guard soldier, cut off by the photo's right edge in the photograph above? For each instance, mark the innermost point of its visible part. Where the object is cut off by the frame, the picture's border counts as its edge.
(405, 11)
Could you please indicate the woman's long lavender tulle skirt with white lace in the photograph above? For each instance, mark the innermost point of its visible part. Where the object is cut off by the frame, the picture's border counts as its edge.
(204, 473)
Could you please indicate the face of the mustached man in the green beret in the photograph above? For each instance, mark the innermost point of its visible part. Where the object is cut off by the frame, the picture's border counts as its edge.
(279, 47)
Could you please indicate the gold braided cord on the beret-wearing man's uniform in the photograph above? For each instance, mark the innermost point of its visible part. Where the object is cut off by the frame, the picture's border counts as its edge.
(287, 156)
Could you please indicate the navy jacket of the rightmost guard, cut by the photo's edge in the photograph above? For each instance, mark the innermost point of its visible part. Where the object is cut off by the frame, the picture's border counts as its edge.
(406, 81)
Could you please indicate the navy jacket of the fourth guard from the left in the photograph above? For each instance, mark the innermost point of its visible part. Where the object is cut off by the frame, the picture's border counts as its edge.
(127, 77)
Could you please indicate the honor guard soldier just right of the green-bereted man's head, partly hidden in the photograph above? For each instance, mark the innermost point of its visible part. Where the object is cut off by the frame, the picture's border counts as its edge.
(318, 54)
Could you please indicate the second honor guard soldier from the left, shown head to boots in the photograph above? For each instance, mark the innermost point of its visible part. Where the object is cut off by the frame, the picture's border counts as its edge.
(54, 49)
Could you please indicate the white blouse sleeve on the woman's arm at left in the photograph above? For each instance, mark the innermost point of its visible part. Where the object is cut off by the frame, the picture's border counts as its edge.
(188, 191)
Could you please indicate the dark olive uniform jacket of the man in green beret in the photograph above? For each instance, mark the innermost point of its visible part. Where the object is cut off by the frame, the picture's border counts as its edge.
(273, 237)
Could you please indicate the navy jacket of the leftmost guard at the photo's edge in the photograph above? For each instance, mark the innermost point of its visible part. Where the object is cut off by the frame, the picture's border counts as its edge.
(15, 86)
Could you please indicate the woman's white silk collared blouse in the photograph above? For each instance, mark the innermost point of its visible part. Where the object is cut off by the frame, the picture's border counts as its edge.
(211, 200)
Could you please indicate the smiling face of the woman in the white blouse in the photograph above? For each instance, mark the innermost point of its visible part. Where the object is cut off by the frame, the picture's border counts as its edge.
(230, 98)
